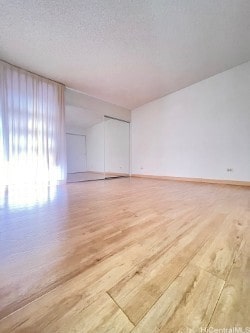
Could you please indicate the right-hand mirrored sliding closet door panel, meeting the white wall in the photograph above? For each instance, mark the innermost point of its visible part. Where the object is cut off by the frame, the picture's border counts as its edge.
(117, 153)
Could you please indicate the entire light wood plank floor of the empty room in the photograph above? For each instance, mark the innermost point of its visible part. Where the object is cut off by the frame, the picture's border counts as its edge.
(127, 255)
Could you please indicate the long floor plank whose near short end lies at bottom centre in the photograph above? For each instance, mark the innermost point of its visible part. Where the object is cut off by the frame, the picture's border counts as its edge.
(138, 291)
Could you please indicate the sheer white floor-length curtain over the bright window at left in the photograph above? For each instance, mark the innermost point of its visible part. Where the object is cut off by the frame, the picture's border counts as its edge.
(32, 128)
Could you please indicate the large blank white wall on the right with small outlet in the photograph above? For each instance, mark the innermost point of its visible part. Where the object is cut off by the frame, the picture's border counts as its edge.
(197, 132)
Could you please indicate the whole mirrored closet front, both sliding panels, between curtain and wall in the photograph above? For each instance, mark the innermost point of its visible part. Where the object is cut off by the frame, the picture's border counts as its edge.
(97, 146)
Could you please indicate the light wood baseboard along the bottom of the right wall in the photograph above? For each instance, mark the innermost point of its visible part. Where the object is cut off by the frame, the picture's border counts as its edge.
(196, 180)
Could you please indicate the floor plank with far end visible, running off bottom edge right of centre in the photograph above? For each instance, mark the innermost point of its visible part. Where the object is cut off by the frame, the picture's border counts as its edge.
(187, 304)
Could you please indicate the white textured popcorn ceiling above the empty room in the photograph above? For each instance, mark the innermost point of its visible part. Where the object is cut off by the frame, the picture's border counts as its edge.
(126, 52)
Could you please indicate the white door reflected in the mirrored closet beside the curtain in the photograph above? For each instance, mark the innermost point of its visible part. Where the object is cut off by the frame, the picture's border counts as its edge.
(76, 153)
